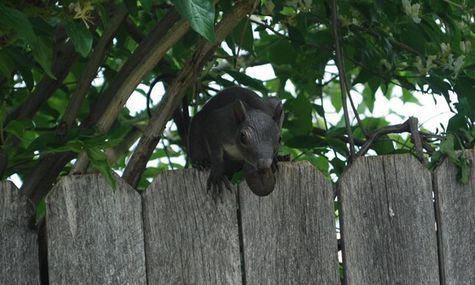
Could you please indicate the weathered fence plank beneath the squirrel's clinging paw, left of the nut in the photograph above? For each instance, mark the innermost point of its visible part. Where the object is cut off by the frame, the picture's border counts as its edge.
(190, 239)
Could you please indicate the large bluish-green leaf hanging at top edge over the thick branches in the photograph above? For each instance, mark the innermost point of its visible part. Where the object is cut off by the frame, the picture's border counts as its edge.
(200, 14)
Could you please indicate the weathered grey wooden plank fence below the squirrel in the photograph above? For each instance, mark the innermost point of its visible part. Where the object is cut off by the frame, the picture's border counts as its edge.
(392, 230)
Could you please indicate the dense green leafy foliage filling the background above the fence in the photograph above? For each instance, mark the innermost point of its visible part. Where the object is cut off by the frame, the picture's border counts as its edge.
(403, 49)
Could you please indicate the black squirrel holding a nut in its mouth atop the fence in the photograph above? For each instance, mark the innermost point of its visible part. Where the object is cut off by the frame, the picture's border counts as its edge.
(236, 129)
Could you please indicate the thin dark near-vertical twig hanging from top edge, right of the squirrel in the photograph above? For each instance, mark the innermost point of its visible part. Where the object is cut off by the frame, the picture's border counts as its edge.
(343, 83)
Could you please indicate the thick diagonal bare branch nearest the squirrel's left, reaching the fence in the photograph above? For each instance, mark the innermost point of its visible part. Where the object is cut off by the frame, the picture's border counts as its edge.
(172, 99)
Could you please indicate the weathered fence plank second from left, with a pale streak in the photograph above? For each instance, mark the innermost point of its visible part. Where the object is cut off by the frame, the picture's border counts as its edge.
(94, 233)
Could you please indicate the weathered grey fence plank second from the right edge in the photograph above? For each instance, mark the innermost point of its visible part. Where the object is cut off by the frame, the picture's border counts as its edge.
(388, 222)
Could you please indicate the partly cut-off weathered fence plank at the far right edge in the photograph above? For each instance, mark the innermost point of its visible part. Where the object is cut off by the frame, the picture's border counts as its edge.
(456, 224)
